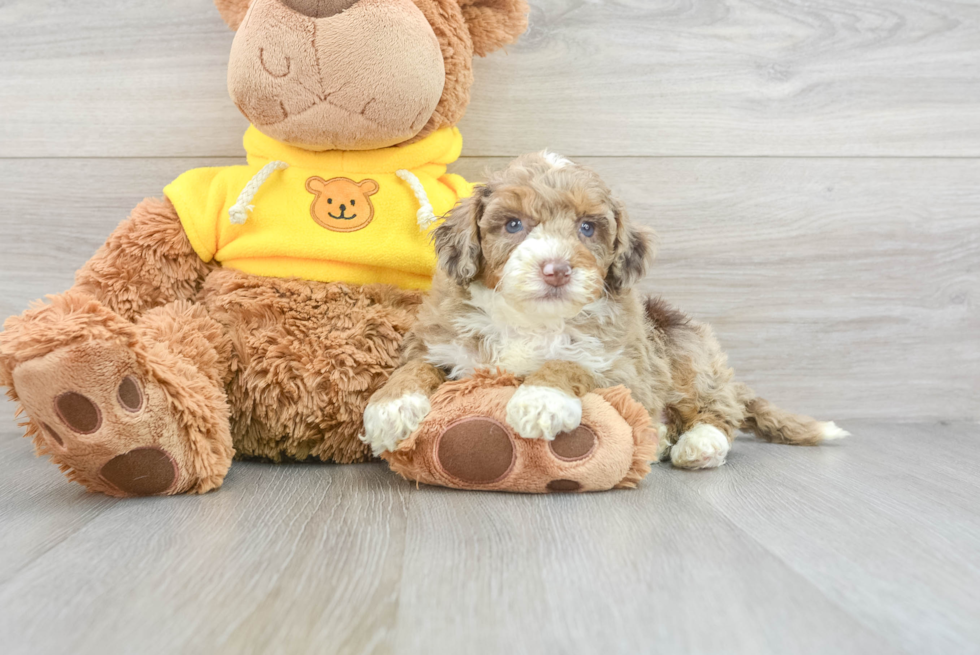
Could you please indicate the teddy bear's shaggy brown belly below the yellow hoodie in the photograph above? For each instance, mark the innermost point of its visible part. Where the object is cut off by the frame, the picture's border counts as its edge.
(307, 357)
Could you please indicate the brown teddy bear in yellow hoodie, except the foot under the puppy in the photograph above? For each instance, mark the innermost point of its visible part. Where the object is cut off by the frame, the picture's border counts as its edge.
(256, 308)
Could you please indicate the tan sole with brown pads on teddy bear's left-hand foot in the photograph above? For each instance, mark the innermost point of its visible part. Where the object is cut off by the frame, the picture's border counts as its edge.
(109, 424)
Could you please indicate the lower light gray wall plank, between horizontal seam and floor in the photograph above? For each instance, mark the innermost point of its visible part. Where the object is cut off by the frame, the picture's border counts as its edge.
(842, 288)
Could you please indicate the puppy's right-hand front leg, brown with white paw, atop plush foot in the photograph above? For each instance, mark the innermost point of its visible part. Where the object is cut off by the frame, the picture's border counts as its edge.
(549, 401)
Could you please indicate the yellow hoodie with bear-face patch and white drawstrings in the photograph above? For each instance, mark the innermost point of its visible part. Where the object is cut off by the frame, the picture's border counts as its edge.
(348, 216)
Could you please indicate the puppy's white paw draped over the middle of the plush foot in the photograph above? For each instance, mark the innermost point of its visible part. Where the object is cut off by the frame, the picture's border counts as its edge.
(542, 412)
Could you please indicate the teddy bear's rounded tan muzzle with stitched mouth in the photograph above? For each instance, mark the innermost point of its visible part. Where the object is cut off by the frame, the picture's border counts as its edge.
(336, 74)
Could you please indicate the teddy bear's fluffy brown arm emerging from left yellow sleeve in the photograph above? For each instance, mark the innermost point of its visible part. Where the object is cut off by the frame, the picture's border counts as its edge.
(147, 262)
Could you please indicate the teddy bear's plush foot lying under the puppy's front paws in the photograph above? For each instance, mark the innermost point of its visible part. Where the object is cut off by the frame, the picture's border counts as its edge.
(466, 443)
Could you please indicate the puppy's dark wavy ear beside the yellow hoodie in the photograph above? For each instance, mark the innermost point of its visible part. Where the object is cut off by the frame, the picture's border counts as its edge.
(457, 239)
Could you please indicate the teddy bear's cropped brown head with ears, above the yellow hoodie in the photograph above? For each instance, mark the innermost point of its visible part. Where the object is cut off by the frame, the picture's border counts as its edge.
(360, 74)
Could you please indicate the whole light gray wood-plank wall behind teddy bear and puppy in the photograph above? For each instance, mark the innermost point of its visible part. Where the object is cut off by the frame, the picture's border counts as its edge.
(812, 168)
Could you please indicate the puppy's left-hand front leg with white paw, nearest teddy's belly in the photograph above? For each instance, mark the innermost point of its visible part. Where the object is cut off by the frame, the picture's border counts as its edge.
(396, 409)
